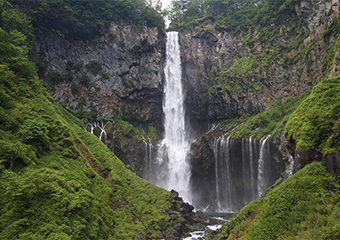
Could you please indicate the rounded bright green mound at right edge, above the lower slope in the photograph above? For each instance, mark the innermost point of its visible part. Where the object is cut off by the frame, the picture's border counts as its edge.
(316, 122)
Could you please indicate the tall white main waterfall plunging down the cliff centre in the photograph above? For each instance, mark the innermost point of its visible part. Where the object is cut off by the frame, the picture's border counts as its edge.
(173, 150)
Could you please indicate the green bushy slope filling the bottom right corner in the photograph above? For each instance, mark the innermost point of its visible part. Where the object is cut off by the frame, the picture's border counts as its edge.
(306, 206)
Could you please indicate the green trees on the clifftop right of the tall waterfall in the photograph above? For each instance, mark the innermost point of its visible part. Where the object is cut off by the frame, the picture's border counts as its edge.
(232, 15)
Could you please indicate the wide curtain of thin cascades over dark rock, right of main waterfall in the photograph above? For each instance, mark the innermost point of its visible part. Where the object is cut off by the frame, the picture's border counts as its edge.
(242, 172)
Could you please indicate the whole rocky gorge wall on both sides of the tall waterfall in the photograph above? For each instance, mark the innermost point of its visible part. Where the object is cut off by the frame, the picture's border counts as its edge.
(119, 75)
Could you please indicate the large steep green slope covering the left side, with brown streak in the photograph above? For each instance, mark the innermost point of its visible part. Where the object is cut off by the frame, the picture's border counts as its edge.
(56, 180)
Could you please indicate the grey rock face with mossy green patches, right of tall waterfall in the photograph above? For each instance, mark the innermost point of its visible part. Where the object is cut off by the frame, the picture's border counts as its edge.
(215, 93)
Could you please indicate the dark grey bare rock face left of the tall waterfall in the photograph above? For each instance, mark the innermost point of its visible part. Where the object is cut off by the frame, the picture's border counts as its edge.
(120, 70)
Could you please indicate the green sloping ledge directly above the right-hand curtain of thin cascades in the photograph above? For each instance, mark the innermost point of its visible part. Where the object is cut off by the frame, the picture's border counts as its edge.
(268, 122)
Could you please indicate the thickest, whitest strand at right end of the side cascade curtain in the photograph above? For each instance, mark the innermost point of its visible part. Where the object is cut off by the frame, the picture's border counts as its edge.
(261, 164)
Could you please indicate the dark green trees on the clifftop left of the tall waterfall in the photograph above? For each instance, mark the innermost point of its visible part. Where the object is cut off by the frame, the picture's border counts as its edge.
(85, 19)
